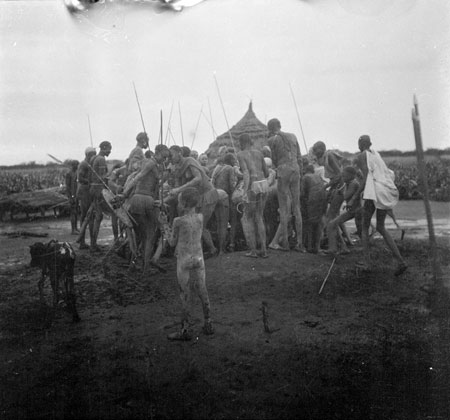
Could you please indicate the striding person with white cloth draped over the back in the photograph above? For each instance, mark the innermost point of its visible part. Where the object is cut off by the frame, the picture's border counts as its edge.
(379, 197)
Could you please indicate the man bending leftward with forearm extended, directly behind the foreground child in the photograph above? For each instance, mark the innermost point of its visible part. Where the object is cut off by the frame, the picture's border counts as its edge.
(188, 173)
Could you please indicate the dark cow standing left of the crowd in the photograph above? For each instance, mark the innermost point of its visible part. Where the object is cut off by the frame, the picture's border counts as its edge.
(56, 260)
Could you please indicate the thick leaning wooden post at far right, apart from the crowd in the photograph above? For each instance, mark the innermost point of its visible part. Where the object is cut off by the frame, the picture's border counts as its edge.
(424, 182)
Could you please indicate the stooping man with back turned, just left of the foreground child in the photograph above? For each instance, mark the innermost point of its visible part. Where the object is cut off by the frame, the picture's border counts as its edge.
(142, 203)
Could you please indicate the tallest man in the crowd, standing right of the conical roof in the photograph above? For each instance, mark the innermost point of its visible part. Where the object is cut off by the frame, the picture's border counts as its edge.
(287, 159)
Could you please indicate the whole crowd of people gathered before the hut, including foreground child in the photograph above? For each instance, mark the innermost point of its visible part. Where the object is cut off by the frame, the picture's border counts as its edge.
(172, 194)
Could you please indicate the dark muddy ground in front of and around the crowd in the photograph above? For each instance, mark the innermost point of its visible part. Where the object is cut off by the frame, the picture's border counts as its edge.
(371, 346)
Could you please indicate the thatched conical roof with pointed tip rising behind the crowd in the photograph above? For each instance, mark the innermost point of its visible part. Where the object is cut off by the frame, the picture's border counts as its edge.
(249, 124)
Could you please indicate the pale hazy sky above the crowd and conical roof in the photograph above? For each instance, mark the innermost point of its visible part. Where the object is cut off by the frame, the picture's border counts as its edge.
(354, 66)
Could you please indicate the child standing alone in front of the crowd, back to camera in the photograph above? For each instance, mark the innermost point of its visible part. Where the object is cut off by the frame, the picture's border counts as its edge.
(186, 236)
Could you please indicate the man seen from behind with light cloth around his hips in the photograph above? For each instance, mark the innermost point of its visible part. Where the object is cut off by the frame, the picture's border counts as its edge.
(256, 189)
